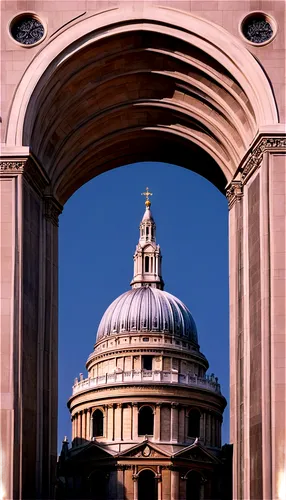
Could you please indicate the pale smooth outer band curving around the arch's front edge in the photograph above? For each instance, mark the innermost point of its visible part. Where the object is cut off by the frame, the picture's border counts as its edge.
(199, 32)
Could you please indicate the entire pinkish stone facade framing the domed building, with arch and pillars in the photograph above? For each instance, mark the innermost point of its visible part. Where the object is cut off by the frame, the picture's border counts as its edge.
(168, 81)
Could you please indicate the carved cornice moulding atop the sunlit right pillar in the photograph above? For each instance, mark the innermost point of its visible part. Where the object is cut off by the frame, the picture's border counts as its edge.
(264, 143)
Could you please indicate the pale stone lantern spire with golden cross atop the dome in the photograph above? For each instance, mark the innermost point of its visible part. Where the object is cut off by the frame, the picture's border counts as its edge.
(147, 257)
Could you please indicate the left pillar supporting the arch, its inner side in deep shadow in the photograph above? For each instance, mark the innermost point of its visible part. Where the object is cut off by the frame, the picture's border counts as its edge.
(29, 305)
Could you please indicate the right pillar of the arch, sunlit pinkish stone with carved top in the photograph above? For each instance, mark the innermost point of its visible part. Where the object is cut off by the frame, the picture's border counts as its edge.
(257, 235)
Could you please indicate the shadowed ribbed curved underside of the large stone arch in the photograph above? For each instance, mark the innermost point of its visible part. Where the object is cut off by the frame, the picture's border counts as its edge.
(137, 96)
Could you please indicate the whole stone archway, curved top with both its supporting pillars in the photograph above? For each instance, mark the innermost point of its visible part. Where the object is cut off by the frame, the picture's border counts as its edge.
(203, 103)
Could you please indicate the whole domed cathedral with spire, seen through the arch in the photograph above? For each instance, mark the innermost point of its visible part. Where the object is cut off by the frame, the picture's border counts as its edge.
(146, 422)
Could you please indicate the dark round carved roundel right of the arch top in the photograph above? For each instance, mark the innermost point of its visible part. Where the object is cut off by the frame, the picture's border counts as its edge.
(258, 28)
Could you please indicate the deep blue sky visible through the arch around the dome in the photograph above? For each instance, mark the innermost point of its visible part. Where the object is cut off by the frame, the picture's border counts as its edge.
(98, 234)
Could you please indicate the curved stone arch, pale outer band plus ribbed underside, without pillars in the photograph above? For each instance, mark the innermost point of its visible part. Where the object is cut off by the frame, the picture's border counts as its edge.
(184, 97)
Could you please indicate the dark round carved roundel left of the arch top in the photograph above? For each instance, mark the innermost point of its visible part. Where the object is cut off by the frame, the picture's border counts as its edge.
(27, 29)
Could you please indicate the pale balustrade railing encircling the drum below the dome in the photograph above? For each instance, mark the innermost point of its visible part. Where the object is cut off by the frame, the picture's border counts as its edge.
(146, 376)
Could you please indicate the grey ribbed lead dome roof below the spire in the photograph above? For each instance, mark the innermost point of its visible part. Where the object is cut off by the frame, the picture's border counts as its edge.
(148, 309)
